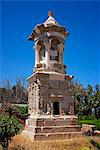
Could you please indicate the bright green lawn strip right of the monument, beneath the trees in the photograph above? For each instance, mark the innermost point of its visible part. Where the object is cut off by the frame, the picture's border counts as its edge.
(95, 122)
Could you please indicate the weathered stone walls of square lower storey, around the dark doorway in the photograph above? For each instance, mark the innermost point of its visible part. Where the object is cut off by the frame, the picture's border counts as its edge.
(45, 89)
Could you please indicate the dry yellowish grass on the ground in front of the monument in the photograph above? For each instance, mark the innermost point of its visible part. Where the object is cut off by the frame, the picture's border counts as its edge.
(22, 143)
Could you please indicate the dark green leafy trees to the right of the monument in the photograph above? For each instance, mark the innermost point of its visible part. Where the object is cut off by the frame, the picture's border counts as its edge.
(87, 99)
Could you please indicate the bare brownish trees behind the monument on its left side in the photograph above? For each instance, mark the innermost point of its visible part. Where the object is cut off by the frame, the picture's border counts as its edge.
(15, 94)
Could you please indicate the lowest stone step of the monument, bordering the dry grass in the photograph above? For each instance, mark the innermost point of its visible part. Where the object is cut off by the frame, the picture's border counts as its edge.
(56, 136)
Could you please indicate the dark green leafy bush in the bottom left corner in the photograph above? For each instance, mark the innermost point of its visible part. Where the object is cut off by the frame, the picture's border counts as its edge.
(9, 126)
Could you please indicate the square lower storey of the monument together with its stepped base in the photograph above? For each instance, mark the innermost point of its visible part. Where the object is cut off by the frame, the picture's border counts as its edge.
(51, 108)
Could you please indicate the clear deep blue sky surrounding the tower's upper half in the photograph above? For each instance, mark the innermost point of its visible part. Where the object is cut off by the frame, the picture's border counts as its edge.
(81, 53)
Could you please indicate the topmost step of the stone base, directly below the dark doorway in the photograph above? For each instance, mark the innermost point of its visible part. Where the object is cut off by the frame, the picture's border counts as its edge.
(47, 120)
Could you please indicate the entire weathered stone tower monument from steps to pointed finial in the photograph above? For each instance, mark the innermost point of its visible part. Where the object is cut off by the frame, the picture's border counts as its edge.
(50, 102)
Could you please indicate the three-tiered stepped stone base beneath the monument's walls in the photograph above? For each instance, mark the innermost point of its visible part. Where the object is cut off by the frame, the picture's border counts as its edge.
(47, 127)
